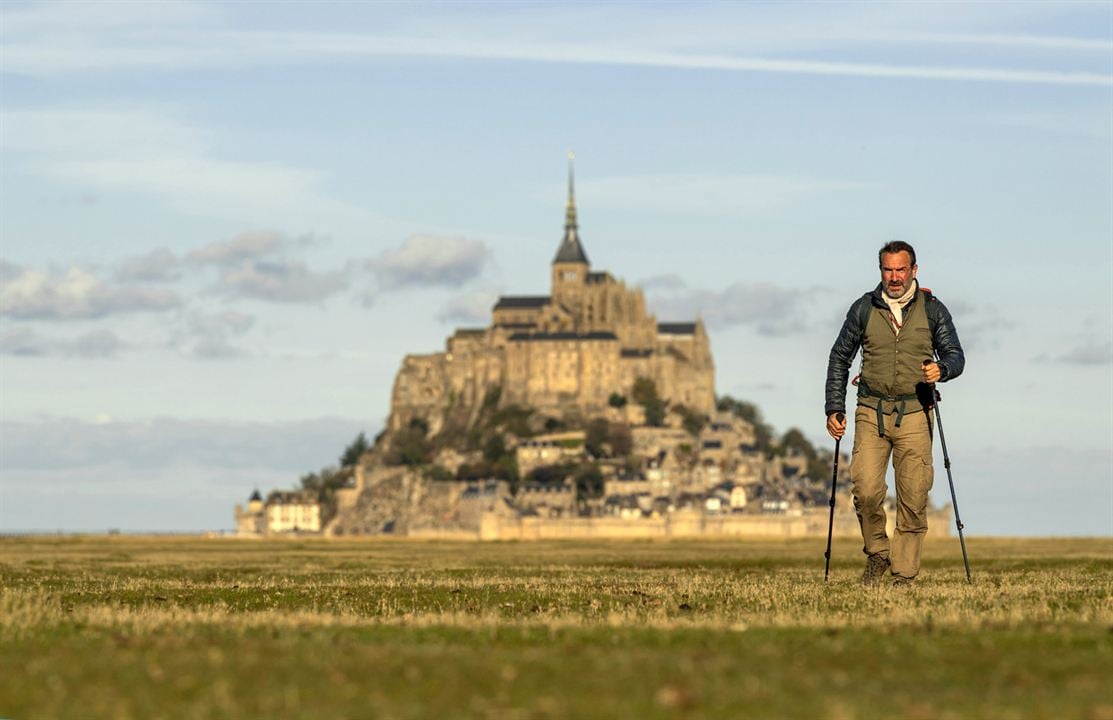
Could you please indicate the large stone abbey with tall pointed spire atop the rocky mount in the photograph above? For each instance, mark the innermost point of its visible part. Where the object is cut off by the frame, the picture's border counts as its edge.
(566, 354)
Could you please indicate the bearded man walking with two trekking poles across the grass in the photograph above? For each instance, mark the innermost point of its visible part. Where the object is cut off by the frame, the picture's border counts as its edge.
(901, 330)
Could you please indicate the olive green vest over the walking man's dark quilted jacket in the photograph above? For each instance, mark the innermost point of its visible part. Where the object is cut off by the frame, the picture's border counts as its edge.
(891, 363)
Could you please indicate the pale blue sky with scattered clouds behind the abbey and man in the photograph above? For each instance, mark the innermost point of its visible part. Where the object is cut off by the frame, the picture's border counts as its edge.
(224, 225)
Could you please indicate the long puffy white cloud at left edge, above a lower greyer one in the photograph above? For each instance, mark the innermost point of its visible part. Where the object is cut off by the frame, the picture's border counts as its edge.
(77, 294)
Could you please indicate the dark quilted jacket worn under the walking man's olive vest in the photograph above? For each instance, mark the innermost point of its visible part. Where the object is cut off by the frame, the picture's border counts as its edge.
(944, 339)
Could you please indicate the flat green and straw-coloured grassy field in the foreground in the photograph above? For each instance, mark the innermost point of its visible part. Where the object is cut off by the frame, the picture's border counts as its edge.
(192, 628)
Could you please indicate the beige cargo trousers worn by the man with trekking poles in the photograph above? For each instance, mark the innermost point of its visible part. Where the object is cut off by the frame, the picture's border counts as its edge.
(911, 448)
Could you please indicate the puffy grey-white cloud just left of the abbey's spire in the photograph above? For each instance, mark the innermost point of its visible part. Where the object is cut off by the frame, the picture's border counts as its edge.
(430, 261)
